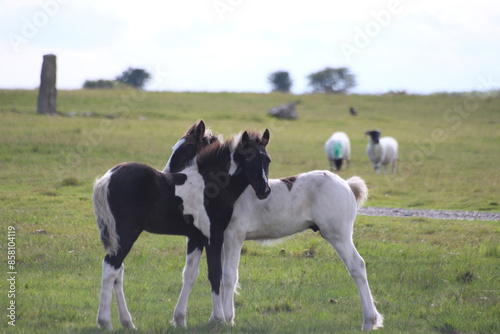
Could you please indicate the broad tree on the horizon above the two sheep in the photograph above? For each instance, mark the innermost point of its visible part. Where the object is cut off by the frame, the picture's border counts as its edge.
(332, 80)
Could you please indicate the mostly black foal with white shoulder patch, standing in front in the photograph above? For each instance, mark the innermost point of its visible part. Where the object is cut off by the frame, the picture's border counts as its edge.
(197, 203)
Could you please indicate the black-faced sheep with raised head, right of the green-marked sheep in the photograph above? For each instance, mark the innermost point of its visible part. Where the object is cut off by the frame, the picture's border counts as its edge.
(382, 151)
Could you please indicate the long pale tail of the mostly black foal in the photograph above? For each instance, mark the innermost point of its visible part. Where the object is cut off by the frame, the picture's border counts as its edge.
(103, 215)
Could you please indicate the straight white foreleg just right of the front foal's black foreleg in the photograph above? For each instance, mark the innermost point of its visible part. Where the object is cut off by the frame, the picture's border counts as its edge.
(232, 252)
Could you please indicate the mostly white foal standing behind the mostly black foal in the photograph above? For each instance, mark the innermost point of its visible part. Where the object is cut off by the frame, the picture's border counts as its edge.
(317, 200)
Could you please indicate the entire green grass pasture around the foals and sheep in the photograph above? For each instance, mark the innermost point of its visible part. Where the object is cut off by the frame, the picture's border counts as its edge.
(427, 275)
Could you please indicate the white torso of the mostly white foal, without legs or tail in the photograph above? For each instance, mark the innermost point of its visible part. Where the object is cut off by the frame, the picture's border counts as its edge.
(296, 203)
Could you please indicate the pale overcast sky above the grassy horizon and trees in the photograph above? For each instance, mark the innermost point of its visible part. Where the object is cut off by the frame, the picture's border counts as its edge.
(233, 45)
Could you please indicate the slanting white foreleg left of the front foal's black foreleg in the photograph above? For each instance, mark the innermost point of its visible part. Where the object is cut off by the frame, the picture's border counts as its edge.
(194, 251)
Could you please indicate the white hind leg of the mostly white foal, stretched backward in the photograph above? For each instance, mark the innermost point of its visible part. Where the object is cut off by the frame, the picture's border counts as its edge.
(356, 267)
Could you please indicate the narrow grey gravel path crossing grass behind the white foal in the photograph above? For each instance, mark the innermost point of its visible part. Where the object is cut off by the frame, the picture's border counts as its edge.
(436, 214)
